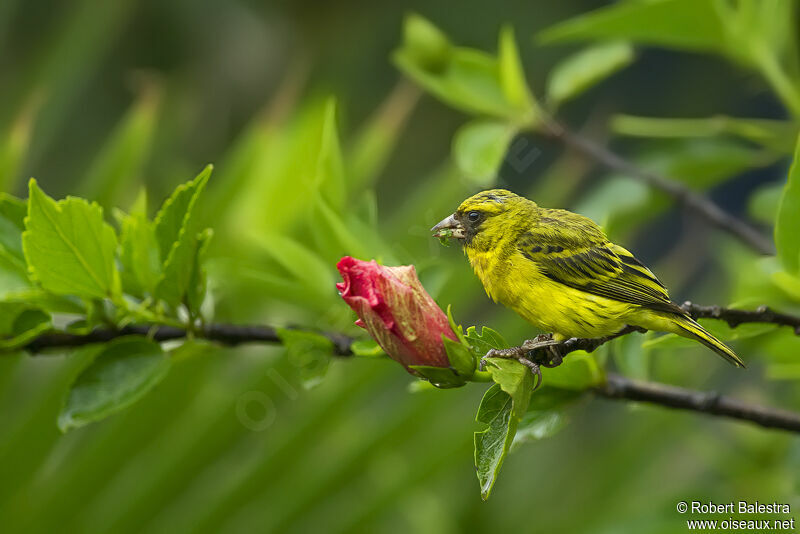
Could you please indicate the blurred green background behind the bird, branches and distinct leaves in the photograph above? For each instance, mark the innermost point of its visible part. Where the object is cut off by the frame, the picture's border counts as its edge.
(102, 98)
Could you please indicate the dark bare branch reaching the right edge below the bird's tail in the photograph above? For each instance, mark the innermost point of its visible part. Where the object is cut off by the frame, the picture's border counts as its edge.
(620, 388)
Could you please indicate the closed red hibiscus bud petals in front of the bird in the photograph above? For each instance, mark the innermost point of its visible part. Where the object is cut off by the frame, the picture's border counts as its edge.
(396, 310)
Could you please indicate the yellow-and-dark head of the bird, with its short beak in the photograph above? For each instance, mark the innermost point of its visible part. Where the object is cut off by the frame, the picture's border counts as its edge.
(482, 220)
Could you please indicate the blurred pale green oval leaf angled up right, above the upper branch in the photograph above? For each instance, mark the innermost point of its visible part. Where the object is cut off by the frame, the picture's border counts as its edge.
(582, 70)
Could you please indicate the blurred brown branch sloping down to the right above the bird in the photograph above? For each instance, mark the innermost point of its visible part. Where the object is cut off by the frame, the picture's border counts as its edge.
(696, 202)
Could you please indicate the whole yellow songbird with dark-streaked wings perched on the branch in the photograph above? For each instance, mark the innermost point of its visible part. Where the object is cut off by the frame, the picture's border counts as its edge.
(559, 271)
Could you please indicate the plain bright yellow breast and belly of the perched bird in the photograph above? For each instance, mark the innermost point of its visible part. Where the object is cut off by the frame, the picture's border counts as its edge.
(516, 282)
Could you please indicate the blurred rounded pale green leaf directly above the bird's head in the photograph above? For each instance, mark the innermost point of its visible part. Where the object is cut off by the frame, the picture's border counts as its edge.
(478, 149)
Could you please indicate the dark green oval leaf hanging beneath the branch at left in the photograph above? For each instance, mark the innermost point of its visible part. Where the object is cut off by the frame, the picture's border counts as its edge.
(122, 372)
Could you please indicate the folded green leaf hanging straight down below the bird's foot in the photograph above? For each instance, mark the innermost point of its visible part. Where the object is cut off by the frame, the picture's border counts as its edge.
(502, 408)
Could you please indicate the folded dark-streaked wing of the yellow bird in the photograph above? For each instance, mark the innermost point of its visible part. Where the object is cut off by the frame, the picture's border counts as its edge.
(581, 257)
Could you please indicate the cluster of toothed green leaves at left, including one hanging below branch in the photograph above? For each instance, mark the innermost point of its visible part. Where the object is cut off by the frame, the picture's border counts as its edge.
(63, 263)
